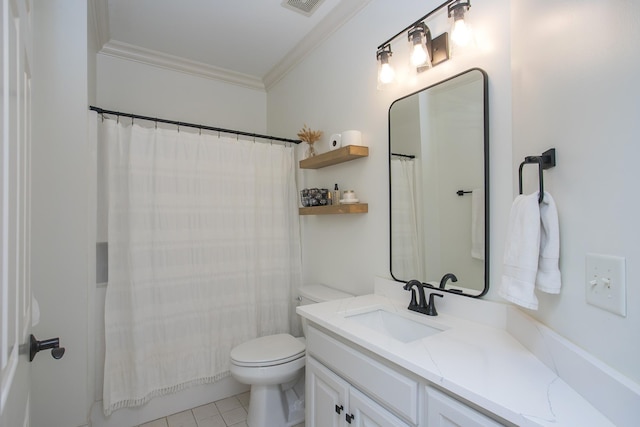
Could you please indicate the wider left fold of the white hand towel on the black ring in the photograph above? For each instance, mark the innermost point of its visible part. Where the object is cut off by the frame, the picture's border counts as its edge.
(522, 248)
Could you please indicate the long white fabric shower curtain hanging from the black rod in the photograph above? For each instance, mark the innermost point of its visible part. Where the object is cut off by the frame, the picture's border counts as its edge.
(204, 253)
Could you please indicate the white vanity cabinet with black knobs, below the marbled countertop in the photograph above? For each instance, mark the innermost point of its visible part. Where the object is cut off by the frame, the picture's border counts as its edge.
(346, 386)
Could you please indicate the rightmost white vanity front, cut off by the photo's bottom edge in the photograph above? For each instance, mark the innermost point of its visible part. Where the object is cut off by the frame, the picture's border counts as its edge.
(445, 411)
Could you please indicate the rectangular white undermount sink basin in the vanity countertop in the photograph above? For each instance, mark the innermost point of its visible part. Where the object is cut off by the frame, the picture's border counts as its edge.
(394, 325)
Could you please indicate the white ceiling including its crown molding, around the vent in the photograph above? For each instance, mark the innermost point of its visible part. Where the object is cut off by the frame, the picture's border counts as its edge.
(247, 42)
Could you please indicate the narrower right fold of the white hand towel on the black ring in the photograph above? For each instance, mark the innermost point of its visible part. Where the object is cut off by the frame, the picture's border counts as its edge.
(548, 277)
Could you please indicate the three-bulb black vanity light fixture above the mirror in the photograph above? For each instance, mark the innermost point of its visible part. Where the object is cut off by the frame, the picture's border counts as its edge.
(426, 52)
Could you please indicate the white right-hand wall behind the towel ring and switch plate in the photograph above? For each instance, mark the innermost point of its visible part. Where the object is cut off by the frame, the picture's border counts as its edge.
(575, 87)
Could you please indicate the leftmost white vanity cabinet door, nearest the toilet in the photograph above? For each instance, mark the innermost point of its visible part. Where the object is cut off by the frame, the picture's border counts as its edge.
(326, 396)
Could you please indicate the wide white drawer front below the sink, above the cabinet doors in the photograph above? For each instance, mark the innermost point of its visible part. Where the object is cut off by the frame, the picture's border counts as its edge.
(385, 385)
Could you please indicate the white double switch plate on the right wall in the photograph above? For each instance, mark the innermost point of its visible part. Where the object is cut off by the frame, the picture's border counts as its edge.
(606, 283)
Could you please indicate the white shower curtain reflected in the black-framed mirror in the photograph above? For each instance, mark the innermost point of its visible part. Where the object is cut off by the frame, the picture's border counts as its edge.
(406, 261)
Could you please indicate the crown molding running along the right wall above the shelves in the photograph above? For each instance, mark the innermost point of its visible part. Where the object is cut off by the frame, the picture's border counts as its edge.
(340, 15)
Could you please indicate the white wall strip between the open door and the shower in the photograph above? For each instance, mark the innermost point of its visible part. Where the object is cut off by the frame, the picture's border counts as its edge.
(60, 191)
